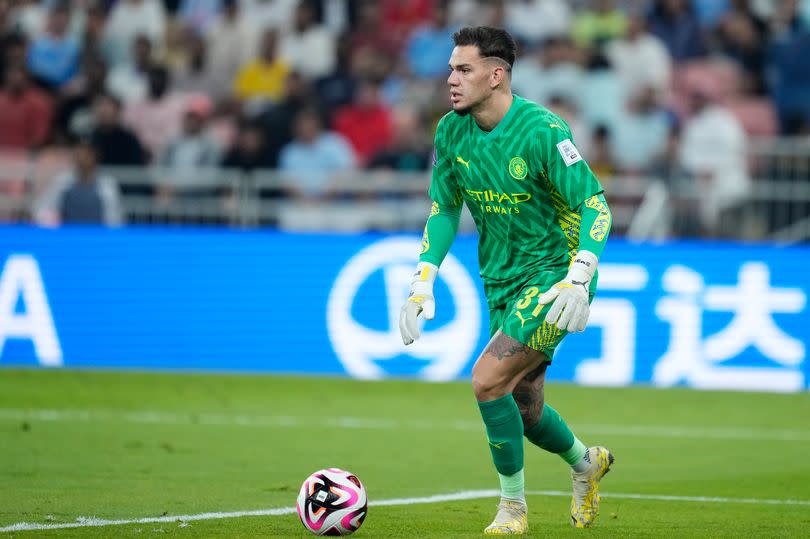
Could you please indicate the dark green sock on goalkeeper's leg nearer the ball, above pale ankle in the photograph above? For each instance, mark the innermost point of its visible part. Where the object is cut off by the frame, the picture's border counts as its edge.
(505, 433)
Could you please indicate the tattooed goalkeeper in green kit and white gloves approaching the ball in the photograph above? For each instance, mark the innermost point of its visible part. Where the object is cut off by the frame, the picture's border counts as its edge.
(542, 221)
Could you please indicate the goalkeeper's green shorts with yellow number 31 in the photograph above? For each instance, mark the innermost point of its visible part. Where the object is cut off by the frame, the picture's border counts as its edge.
(523, 318)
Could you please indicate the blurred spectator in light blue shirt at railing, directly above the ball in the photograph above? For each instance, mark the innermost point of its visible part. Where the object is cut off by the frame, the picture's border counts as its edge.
(313, 155)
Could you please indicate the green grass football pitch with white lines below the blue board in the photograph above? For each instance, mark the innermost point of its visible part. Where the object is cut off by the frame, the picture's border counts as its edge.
(214, 455)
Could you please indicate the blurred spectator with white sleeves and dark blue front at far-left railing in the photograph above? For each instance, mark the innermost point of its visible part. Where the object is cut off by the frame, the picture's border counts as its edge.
(81, 195)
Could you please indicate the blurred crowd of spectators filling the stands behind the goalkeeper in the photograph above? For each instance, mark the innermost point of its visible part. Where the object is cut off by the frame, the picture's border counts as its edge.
(650, 88)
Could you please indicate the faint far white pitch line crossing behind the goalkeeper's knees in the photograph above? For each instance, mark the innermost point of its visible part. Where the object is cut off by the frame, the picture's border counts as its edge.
(344, 422)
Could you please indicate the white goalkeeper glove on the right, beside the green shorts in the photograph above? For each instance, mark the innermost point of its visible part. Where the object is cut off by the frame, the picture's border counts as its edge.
(571, 309)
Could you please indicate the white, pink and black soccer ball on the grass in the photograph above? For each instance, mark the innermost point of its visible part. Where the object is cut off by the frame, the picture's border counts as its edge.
(332, 502)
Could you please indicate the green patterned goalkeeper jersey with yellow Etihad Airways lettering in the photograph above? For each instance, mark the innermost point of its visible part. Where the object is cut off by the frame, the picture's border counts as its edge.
(522, 182)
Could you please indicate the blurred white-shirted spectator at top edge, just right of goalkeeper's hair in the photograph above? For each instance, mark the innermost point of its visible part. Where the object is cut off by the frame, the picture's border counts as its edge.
(534, 21)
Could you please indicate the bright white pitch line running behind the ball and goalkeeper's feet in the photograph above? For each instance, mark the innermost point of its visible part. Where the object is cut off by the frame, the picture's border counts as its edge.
(88, 522)
